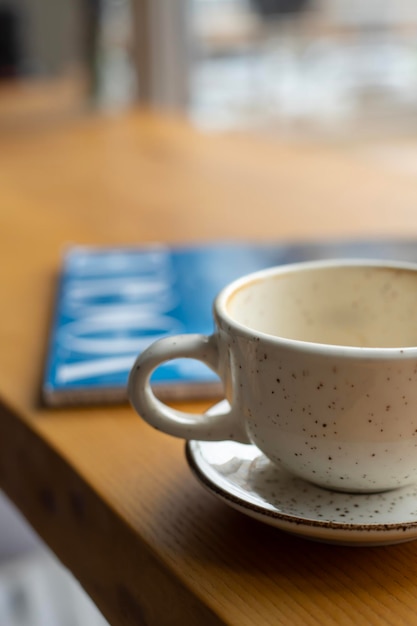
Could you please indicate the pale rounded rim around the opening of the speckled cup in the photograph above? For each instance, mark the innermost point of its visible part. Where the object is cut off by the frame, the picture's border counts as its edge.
(224, 319)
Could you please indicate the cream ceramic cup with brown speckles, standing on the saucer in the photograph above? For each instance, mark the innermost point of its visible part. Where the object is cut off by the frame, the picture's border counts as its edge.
(319, 365)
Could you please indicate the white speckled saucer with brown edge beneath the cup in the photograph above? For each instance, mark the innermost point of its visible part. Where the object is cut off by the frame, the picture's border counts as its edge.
(242, 476)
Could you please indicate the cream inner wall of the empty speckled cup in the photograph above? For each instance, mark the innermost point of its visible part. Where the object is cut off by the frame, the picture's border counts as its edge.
(360, 306)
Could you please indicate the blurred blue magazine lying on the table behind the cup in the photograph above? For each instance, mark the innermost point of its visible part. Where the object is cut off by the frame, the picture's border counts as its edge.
(113, 302)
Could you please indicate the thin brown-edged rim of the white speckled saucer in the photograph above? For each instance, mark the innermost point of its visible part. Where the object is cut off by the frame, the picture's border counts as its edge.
(287, 518)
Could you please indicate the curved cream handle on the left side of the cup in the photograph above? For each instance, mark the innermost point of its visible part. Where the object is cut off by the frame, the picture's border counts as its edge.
(205, 427)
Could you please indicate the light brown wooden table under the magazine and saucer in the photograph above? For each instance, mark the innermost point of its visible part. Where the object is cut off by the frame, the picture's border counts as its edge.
(113, 498)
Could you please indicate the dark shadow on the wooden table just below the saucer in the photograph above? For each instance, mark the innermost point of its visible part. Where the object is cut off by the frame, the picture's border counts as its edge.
(265, 554)
